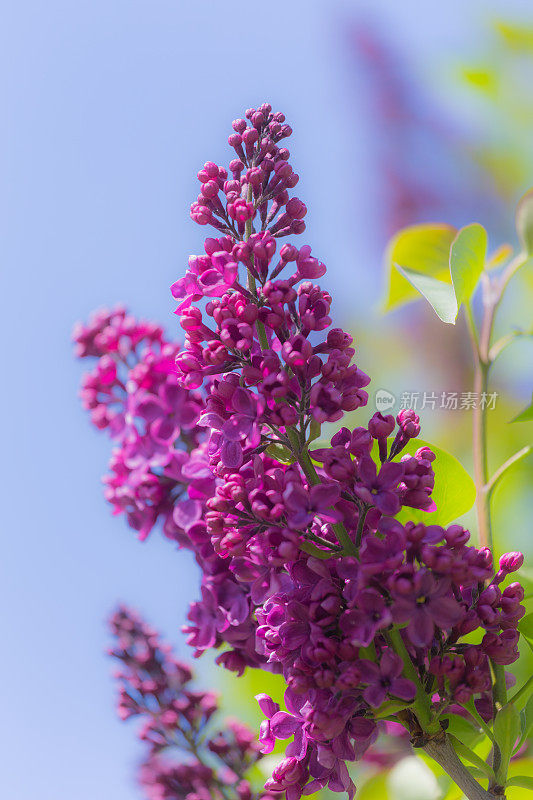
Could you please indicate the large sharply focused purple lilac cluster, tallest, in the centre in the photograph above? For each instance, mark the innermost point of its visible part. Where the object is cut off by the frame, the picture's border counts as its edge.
(305, 570)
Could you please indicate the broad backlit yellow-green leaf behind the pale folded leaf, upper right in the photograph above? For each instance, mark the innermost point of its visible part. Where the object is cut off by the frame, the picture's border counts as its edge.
(422, 248)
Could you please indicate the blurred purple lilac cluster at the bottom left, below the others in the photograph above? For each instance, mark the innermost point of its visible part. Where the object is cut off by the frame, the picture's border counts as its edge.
(188, 757)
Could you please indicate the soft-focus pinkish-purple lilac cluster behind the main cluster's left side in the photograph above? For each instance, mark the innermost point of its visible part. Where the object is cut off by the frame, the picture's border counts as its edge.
(160, 469)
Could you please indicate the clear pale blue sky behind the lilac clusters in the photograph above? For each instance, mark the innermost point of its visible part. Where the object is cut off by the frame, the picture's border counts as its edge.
(111, 109)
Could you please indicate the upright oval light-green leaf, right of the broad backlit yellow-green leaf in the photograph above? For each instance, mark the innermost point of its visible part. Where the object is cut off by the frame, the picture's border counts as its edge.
(467, 260)
